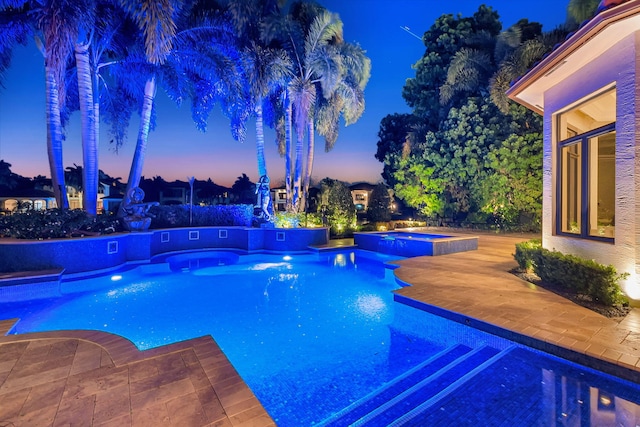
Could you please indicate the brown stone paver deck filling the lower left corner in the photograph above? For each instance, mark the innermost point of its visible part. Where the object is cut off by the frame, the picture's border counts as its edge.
(87, 378)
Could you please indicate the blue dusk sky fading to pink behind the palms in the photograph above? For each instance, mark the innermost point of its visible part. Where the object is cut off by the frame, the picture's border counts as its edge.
(177, 150)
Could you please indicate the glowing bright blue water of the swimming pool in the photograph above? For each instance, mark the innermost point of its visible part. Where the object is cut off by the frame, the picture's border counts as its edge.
(311, 334)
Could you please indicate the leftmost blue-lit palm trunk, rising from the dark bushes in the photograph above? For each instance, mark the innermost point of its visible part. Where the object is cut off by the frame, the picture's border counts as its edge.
(54, 140)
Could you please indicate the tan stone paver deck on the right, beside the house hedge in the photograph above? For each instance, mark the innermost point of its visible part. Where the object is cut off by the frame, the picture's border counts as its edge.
(483, 288)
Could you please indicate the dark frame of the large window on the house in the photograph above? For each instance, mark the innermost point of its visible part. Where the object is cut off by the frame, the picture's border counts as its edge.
(583, 140)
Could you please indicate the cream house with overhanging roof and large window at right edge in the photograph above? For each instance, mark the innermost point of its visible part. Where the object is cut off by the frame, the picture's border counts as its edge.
(588, 90)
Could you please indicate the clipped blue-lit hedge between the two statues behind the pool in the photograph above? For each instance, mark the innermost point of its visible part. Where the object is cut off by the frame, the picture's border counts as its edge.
(217, 215)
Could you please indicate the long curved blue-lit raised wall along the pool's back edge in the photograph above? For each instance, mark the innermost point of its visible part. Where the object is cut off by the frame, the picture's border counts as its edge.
(98, 253)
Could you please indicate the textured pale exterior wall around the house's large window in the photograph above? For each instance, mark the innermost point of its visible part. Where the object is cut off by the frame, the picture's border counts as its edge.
(620, 65)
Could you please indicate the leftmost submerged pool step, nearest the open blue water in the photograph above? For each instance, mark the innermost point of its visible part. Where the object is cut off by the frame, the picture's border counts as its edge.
(391, 389)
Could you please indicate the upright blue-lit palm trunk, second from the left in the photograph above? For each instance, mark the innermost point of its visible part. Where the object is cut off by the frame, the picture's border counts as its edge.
(89, 141)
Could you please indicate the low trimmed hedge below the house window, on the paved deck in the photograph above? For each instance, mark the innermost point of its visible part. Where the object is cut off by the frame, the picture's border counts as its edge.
(585, 277)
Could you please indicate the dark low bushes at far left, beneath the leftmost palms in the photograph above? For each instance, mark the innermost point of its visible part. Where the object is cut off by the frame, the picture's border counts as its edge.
(56, 223)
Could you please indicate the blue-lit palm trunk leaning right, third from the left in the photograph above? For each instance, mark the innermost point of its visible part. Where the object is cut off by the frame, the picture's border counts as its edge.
(141, 145)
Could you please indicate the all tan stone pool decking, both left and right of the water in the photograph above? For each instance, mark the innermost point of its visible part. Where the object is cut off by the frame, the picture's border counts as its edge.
(94, 378)
